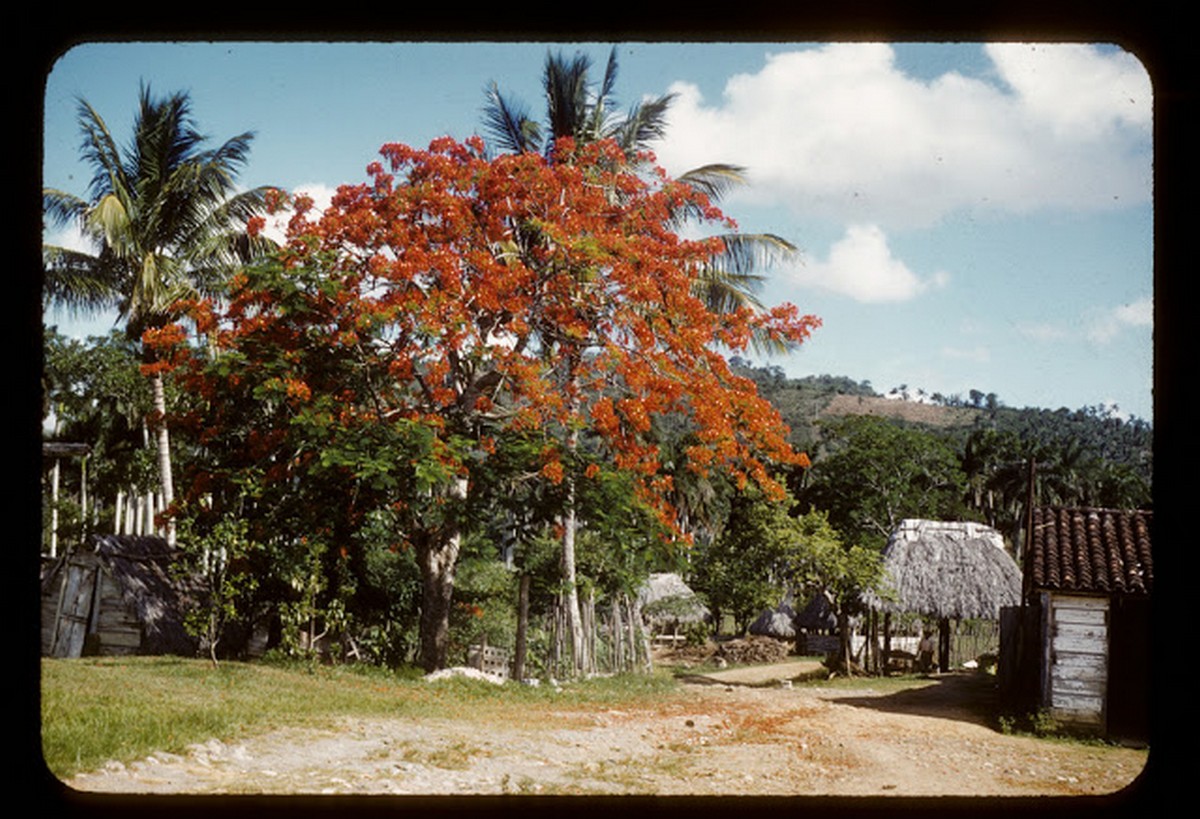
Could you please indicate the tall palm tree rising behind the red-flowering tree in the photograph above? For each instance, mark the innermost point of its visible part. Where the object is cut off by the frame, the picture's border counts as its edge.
(574, 109)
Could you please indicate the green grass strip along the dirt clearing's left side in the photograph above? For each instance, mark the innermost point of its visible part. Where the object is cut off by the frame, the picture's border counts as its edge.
(97, 710)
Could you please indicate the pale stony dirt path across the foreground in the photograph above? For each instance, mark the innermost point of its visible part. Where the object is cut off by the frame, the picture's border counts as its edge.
(718, 739)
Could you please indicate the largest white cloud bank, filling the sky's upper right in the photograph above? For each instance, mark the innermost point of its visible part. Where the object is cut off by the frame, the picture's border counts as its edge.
(842, 133)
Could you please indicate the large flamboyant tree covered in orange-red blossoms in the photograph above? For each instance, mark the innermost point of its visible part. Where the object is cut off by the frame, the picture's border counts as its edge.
(457, 298)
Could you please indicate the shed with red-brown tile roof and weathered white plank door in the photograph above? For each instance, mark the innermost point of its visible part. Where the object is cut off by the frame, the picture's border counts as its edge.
(1082, 639)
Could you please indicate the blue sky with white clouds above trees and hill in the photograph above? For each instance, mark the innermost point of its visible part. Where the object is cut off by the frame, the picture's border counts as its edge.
(970, 217)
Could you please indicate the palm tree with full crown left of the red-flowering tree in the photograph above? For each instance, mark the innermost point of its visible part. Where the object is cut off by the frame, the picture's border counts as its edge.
(165, 222)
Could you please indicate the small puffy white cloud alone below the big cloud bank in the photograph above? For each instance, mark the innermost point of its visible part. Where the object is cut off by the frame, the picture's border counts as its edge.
(861, 266)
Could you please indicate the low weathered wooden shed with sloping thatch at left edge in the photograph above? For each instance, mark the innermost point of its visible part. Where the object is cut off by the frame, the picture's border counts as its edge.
(116, 596)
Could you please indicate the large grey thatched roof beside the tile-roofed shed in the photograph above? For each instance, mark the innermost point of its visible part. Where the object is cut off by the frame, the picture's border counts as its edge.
(949, 570)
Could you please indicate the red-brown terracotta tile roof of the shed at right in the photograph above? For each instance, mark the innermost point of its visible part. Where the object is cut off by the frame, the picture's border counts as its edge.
(1091, 551)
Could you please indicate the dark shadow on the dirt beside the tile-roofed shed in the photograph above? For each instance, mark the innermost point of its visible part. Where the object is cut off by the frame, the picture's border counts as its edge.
(967, 697)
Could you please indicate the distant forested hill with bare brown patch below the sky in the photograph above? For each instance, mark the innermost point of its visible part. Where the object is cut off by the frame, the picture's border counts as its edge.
(805, 402)
